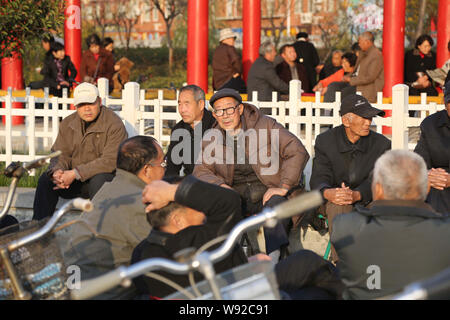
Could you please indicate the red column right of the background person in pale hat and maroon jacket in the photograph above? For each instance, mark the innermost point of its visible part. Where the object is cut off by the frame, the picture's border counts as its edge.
(251, 38)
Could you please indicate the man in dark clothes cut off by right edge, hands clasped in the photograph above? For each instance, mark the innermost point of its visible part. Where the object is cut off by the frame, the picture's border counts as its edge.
(434, 147)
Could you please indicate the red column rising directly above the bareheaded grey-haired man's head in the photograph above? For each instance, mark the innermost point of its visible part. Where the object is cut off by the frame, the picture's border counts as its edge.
(197, 51)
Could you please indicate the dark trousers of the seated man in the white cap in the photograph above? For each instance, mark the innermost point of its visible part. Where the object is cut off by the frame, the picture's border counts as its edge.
(46, 198)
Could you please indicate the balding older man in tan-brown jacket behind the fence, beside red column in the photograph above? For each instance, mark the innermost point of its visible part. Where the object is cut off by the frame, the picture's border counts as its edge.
(369, 76)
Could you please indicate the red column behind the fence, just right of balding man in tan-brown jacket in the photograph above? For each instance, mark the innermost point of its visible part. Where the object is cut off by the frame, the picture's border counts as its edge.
(393, 47)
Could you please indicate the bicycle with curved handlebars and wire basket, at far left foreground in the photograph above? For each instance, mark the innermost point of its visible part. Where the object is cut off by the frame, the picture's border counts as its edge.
(31, 264)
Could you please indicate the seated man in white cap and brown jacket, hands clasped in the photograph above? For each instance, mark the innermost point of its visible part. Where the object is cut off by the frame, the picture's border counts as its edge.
(89, 139)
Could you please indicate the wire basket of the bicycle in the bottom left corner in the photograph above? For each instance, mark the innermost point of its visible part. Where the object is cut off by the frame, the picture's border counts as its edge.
(39, 265)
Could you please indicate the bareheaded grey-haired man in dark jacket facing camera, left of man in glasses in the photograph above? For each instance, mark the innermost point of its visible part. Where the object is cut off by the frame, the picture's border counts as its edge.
(186, 136)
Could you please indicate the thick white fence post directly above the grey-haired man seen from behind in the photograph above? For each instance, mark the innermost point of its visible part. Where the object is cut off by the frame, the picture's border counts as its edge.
(399, 116)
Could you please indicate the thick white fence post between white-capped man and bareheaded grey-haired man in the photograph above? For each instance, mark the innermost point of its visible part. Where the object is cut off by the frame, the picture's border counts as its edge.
(130, 108)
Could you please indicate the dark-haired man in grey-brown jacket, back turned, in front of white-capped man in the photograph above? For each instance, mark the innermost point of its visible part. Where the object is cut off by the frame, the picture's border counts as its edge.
(104, 239)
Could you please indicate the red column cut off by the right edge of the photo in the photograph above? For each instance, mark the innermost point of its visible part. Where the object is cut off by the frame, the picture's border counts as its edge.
(443, 35)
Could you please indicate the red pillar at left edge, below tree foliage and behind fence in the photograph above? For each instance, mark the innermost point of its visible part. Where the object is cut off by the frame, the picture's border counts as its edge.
(12, 76)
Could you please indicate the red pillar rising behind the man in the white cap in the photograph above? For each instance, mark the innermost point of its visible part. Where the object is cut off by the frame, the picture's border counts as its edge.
(72, 33)
